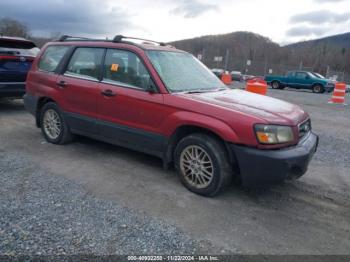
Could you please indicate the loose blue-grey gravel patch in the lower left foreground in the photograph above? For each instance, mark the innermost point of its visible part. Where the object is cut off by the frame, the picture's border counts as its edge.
(44, 214)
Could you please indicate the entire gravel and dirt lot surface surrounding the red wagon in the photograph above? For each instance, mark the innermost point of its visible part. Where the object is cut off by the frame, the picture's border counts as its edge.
(93, 198)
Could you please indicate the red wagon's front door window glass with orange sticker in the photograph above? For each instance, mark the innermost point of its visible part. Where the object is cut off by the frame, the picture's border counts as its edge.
(126, 69)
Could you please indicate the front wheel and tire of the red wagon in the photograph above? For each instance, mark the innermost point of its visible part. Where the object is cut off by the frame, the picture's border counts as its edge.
(191, 171)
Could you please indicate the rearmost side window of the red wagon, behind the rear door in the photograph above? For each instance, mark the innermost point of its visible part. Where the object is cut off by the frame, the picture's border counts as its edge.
(52, 57)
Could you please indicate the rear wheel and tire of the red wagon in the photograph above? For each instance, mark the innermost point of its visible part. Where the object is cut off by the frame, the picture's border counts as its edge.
(53, 125)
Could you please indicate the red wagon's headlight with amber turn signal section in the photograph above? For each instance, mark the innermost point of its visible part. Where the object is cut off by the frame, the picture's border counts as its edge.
(273, 134)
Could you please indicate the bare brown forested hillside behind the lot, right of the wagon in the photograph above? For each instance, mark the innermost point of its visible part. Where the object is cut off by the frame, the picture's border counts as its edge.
(323, 55)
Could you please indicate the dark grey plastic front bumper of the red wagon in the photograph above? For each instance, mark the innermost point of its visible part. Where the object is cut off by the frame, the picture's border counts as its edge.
(264, 167)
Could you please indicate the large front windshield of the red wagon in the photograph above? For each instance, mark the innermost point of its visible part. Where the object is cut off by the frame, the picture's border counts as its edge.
(181, 72)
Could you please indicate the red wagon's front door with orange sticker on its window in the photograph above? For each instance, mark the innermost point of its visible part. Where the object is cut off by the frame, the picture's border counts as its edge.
(130, 115)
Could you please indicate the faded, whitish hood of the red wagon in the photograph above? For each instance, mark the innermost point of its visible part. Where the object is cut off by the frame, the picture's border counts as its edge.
(269, 109)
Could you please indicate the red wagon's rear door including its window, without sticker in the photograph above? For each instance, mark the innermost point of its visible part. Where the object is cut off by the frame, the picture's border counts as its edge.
(79, 87)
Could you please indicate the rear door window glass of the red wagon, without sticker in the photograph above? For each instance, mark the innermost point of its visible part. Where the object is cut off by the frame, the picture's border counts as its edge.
(85, 62)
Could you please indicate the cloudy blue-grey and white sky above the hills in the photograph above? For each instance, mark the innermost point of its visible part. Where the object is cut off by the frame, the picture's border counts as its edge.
(283, 21)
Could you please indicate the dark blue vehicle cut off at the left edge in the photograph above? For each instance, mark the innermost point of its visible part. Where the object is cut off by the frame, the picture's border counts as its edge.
(16, 57)
